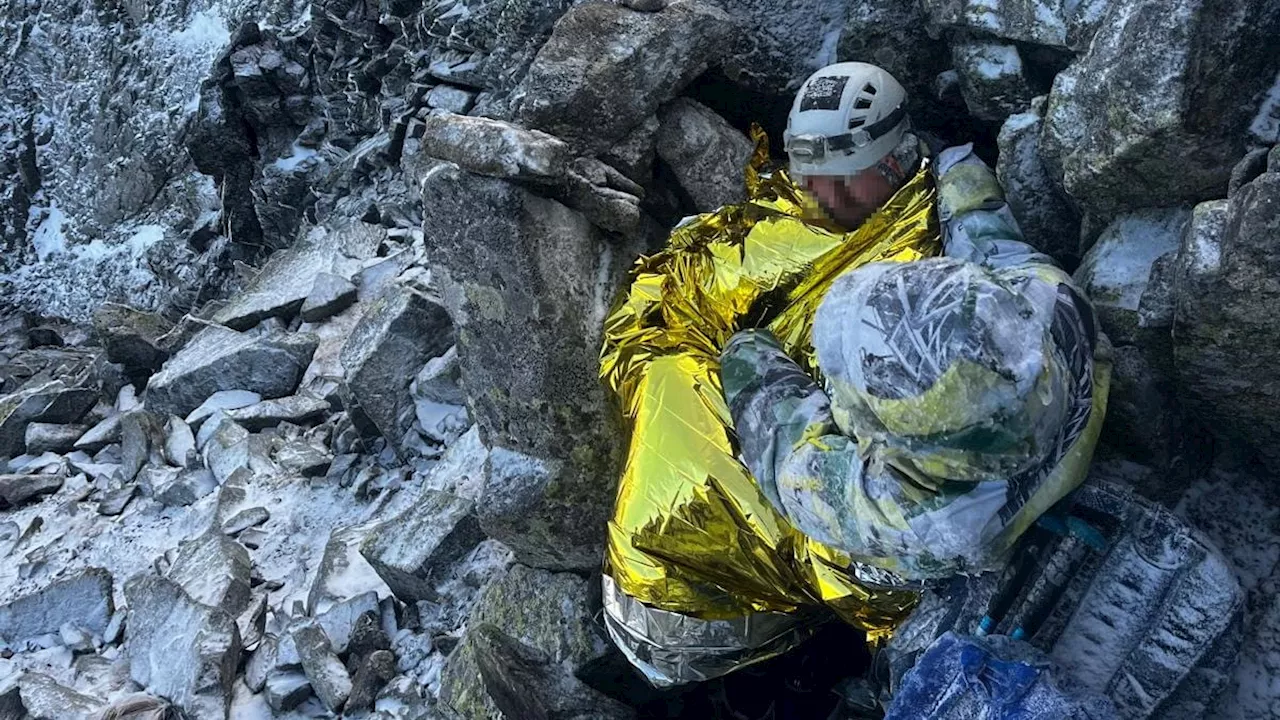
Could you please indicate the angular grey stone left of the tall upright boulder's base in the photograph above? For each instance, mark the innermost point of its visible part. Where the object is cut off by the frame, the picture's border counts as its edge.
(408, 552)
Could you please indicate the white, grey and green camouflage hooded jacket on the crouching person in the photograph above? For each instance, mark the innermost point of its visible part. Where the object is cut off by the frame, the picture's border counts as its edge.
(921, 507)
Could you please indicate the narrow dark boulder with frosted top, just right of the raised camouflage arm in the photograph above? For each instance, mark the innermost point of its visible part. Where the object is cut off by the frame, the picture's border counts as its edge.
(1046, 216)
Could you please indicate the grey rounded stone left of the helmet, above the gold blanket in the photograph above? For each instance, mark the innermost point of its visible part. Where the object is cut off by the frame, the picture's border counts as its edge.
(707, 154)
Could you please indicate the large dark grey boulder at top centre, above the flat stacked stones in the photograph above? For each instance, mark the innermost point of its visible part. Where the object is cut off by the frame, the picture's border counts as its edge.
(607, 69)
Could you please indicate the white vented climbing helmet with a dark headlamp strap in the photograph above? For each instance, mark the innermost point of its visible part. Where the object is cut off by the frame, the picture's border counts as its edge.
(845, 119)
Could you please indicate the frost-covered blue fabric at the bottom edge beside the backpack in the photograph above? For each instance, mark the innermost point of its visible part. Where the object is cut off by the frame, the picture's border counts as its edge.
(993, 678)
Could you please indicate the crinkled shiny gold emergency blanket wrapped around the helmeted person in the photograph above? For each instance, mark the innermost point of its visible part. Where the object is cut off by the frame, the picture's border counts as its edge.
(692, 534)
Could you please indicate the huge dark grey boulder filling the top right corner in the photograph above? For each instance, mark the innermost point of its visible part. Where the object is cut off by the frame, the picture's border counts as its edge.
(1159, 108)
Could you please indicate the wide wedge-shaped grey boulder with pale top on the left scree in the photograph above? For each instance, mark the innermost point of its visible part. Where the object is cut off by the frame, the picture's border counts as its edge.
(220, 359)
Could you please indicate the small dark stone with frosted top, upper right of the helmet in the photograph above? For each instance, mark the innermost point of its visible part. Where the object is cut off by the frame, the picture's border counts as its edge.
(991, 79)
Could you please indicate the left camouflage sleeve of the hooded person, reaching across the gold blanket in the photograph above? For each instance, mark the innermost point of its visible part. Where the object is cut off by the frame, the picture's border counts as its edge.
(821, 481)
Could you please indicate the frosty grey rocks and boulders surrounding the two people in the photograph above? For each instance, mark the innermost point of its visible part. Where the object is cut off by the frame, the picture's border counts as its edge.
(300, 306)
